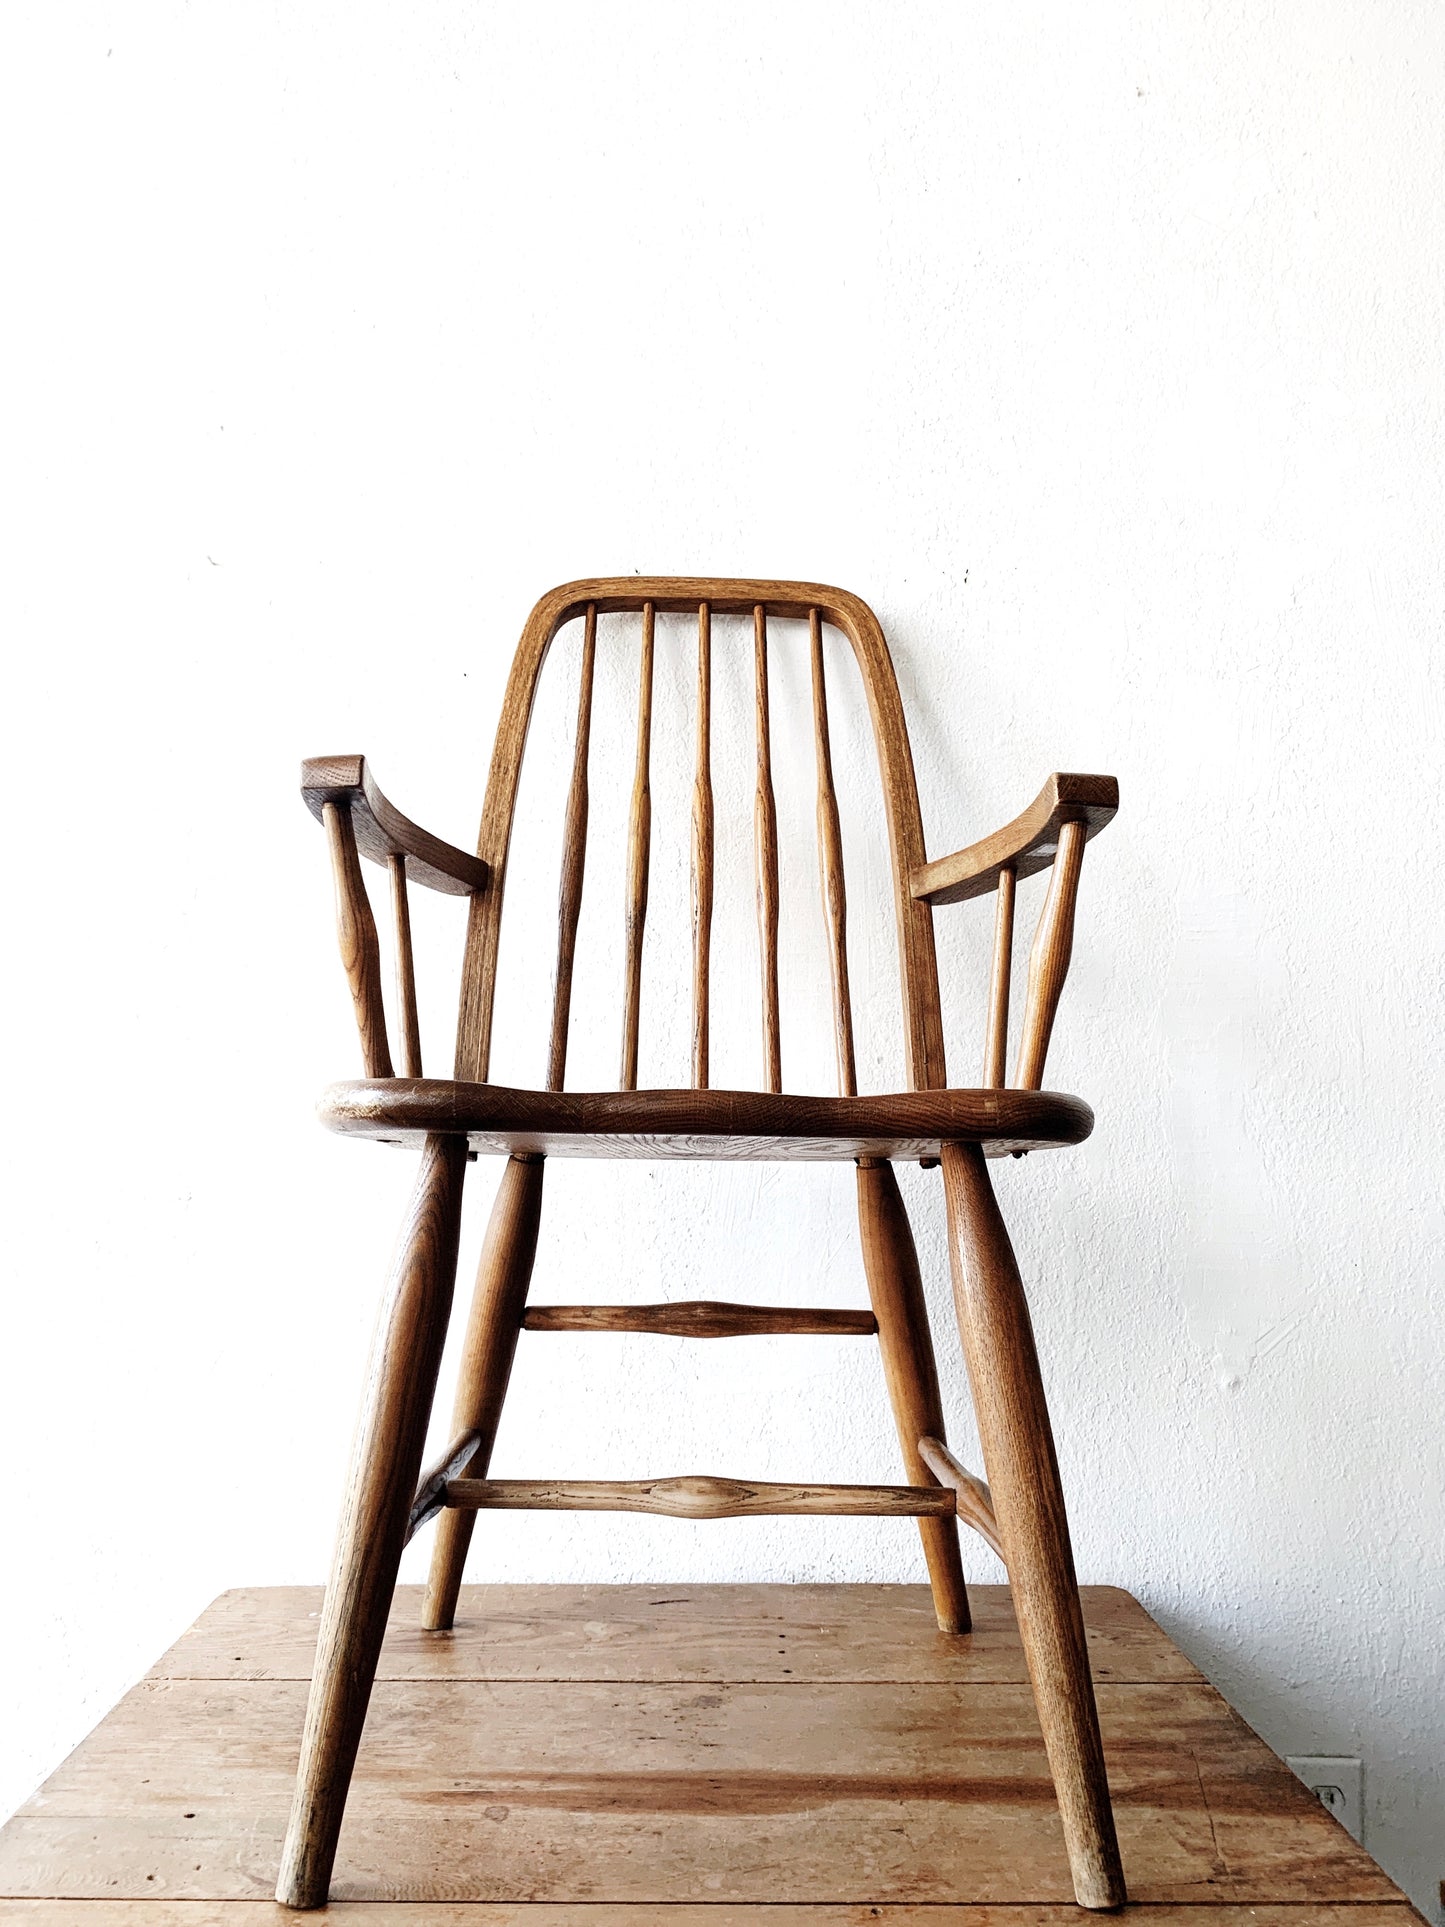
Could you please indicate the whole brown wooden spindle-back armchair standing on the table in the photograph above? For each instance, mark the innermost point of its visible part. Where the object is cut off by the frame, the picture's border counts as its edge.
(1020, 1512)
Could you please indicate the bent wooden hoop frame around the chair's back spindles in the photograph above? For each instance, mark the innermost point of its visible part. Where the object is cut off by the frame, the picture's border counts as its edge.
(725, 596)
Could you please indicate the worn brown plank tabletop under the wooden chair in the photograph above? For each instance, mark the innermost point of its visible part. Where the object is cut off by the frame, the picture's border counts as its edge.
(612, 1756)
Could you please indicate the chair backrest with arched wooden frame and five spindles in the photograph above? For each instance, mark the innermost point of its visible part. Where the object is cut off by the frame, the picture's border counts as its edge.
(706, 598)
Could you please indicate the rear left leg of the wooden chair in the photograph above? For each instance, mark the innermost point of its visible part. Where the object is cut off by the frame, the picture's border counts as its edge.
(502, 1280)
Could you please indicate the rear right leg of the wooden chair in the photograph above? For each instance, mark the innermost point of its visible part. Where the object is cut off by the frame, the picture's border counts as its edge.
(908, 1365)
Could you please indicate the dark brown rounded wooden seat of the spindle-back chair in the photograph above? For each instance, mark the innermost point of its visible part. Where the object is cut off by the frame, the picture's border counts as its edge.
(704, 1124)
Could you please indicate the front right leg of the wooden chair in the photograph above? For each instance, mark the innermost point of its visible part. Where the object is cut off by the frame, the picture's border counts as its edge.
(1018, 1448)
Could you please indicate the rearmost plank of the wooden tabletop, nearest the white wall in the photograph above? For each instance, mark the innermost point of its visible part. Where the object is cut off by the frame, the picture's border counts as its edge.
(675, 1633)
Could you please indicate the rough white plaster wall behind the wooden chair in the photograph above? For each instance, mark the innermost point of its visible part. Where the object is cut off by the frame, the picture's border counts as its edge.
(1101, 352)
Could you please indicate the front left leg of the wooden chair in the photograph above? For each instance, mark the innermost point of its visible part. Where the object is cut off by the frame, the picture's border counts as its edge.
(386, 1462)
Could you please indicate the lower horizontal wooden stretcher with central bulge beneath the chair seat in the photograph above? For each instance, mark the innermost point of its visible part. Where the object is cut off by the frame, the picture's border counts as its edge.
(695, 1496)
